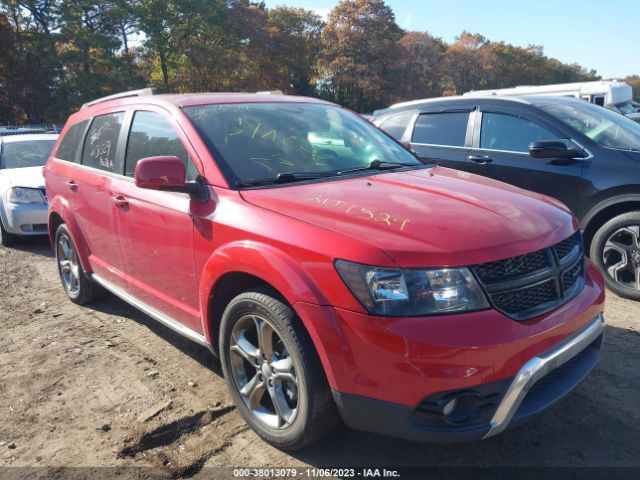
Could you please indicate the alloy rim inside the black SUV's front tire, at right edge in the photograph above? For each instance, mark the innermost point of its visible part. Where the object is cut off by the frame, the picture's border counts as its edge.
(621, 256)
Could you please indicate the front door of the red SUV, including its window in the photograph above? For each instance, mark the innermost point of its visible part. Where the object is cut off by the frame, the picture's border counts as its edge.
(156, 228)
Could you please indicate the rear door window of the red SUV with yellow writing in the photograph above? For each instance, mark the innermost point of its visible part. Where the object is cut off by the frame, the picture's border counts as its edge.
(101, 142)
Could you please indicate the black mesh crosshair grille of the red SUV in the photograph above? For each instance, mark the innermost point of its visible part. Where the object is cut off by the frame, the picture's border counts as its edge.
(528, 285)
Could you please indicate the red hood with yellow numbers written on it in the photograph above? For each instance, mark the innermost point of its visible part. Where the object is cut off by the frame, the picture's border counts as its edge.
(427, 217)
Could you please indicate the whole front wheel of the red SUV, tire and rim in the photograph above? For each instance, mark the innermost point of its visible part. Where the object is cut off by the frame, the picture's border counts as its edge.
(306, 409)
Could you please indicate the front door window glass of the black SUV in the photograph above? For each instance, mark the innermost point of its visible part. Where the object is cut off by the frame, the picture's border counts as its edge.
(507, 132)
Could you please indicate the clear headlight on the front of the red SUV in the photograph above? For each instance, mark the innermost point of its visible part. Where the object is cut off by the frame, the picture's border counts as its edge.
(410, 292)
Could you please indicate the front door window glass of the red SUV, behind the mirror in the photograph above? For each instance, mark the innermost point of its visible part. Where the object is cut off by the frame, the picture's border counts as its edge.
(152, 136)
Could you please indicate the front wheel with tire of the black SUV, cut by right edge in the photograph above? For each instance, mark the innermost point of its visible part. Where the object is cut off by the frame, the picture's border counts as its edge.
(615, 249)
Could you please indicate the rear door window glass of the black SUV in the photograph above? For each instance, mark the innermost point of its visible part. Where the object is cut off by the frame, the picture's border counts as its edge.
(441, 129)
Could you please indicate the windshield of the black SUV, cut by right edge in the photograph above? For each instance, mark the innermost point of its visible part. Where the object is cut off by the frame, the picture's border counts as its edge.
(607, 128)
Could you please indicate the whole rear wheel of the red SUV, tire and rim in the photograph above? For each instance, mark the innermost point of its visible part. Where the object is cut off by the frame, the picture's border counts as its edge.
(79, 287)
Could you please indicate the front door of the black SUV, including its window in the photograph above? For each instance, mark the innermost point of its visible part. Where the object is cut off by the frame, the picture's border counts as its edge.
(501, 151)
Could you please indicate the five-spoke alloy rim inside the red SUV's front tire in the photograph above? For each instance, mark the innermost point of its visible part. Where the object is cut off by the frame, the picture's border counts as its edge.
(263, 372)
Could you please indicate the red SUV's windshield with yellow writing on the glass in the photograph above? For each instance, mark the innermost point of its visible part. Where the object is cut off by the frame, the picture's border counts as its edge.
(262, 141)
